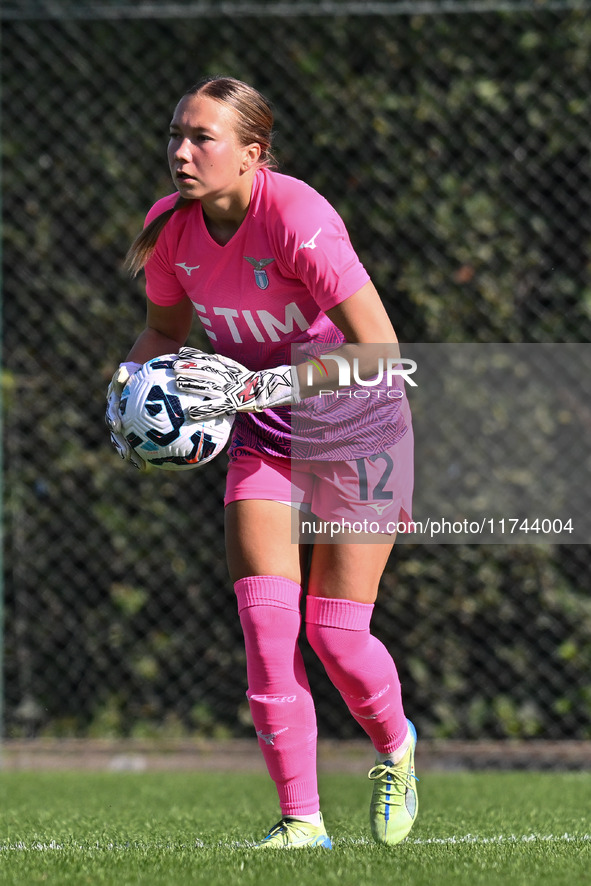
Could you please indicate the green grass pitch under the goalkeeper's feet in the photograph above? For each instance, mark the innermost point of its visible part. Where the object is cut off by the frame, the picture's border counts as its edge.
(171, 829)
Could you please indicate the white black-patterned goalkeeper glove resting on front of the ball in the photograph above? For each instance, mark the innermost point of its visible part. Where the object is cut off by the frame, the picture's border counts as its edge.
(230, 387)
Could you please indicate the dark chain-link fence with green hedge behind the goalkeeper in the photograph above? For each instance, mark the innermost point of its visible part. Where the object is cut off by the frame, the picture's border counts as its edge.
(454, 140)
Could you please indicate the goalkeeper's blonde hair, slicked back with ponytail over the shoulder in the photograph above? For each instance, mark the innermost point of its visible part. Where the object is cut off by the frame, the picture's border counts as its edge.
(254, 124)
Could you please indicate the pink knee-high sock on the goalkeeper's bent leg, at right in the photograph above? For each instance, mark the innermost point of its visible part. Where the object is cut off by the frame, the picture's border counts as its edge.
(360, 667)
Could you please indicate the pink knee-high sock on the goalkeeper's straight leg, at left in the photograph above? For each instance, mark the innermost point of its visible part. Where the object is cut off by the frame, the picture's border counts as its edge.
(278, 691)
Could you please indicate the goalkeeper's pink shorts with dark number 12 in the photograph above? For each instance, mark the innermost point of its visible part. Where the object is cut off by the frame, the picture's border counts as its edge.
(375, 492)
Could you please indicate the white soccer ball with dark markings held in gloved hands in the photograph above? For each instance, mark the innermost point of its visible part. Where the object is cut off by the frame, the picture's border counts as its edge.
(156, 424)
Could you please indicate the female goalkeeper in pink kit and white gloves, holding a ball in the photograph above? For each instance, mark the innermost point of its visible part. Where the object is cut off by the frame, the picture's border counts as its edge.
(267, 265)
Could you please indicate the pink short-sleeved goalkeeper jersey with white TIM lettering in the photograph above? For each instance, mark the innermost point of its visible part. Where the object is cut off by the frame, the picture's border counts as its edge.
(264, 291)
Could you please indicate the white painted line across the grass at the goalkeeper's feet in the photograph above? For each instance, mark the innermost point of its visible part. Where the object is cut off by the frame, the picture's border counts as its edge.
(498, 839)
